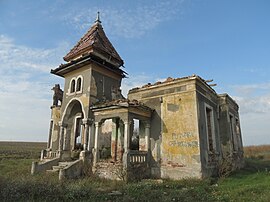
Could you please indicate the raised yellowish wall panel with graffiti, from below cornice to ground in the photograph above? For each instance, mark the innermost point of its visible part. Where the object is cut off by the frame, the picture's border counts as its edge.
(180, 138)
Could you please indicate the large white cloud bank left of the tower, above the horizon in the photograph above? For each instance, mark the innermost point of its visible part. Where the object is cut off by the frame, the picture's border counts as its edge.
(25, 95)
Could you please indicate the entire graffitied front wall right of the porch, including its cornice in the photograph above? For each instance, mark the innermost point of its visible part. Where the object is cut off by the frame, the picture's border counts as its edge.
(174, 128)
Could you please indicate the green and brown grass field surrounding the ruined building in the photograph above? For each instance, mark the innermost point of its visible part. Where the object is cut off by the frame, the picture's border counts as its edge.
(16, 184)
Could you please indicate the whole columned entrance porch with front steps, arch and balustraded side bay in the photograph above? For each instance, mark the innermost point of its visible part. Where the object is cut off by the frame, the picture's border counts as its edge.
(126, 155)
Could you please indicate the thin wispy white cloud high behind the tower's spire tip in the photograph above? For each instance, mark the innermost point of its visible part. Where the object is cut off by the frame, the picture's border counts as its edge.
(128, 23)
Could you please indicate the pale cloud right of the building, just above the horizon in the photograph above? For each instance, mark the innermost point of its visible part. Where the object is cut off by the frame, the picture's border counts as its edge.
(254, 103)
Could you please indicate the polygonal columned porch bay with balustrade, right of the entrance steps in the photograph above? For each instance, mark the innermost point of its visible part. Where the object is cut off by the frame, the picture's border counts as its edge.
(129, 151)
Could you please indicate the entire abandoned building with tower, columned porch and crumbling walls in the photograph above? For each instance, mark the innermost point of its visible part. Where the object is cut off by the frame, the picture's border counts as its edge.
(174, 129)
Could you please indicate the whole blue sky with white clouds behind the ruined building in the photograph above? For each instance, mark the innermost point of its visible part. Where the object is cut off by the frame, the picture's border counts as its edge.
(228, 41)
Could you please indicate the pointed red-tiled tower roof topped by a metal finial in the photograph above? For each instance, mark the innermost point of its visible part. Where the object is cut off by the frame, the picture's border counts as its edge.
(95, 42)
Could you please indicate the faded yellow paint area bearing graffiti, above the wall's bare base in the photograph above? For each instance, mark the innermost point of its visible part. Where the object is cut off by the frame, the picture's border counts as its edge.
(180, 131)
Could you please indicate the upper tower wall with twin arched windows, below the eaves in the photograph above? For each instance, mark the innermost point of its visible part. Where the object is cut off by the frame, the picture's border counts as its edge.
(96, 83)
